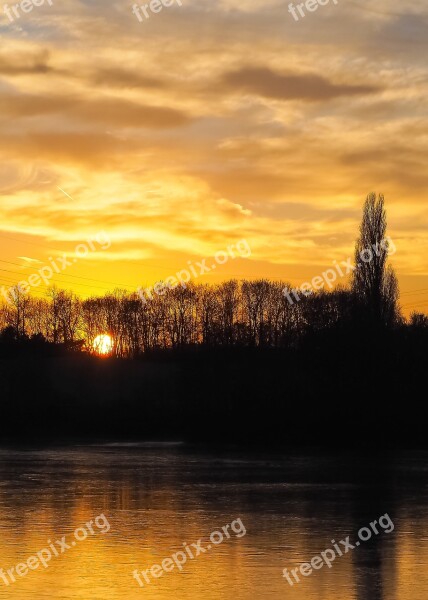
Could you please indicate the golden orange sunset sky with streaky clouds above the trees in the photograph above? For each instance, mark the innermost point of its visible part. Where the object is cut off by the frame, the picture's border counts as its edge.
(209, 123)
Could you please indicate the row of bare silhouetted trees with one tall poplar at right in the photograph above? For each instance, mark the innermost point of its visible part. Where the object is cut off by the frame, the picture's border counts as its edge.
(233, 313)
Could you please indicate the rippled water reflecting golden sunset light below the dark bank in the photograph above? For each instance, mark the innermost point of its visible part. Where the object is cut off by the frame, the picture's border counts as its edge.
(155, 498)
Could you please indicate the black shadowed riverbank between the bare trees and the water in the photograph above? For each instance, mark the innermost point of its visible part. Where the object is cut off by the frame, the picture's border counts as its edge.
(320, 394)
